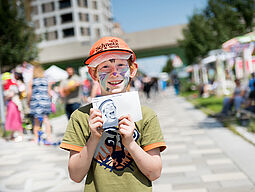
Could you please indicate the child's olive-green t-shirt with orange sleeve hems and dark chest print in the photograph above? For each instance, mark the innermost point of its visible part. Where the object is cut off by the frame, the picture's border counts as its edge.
(113, 168)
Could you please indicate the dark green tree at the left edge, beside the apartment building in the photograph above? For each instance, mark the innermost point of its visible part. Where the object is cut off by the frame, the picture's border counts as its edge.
(17, 38)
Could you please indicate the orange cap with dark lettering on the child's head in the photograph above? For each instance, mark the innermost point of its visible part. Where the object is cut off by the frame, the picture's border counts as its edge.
(106, 45)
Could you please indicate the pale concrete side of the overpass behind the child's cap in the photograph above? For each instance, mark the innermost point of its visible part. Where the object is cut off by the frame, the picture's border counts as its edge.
(155, 38)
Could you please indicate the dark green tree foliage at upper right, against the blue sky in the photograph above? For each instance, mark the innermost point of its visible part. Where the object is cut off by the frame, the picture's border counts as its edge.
(220, 21)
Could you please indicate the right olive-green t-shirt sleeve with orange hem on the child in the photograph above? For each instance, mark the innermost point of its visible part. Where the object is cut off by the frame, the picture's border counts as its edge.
(152, 136)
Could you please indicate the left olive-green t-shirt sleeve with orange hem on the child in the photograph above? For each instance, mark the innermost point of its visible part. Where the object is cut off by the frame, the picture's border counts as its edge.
(77, 132)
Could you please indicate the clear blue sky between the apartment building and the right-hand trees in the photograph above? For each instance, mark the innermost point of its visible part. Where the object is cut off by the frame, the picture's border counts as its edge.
(138, 15)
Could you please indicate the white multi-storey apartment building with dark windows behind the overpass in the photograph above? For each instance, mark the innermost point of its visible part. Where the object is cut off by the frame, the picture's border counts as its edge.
(59, 22)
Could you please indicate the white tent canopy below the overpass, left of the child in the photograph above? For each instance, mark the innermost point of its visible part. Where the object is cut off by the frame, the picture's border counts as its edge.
(55, 74)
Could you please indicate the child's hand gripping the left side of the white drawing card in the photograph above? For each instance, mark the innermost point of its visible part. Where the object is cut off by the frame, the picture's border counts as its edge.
(95, 123)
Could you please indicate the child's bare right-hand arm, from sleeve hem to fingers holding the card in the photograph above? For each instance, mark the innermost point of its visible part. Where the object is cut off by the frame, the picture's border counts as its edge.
(148, 162)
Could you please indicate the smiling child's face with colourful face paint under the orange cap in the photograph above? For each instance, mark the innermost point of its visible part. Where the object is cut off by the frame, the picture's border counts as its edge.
(113, 76)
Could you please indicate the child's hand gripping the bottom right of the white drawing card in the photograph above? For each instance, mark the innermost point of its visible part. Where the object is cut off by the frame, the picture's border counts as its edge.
(126, 128)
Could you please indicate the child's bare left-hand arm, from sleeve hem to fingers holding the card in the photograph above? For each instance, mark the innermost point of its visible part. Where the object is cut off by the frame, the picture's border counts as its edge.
(79, 162)
